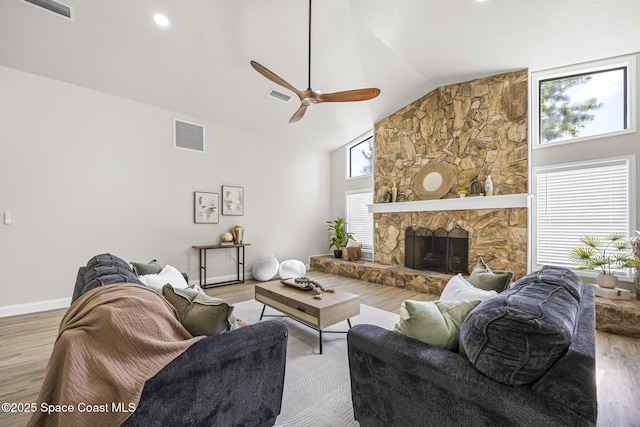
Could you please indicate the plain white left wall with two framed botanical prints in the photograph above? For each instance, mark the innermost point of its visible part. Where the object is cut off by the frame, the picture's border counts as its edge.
(83, 172)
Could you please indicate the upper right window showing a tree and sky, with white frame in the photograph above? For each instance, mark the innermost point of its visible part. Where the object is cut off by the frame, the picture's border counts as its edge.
(583, 102)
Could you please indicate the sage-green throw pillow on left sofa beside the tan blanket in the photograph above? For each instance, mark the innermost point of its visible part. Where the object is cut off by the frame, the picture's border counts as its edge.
(199, 313)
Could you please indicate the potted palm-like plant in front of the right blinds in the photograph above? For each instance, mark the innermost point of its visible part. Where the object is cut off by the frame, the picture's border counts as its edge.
(607, 255)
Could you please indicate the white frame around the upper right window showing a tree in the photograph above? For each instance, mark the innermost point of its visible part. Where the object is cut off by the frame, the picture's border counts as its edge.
(536, 77)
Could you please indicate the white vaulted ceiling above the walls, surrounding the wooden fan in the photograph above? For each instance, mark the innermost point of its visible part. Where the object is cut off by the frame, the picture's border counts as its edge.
(199, 65)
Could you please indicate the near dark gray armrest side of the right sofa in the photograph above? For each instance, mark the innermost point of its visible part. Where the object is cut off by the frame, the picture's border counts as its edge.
(396, 380)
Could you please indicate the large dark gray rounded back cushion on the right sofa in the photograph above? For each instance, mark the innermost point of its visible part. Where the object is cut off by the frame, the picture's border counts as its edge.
(515, 337)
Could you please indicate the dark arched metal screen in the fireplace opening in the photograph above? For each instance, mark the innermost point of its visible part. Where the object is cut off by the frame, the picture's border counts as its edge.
(438, 250)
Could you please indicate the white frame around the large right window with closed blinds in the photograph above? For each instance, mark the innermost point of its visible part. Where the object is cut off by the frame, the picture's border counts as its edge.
(625, 275)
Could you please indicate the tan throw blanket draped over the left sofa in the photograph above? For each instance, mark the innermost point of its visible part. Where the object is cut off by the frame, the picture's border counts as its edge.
(111, 340)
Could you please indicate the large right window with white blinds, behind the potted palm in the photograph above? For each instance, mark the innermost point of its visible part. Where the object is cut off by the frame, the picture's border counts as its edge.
(595, 197)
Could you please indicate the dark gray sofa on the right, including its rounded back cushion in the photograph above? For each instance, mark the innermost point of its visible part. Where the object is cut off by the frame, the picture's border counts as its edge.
(516, 339)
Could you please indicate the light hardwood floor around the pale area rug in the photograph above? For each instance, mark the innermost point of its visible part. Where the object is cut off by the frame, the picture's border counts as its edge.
(26, 342)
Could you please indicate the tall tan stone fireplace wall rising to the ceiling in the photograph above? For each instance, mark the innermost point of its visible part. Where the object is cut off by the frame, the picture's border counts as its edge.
(476, 128)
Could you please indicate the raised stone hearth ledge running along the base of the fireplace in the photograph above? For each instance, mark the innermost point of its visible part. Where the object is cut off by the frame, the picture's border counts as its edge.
(621, 317)
